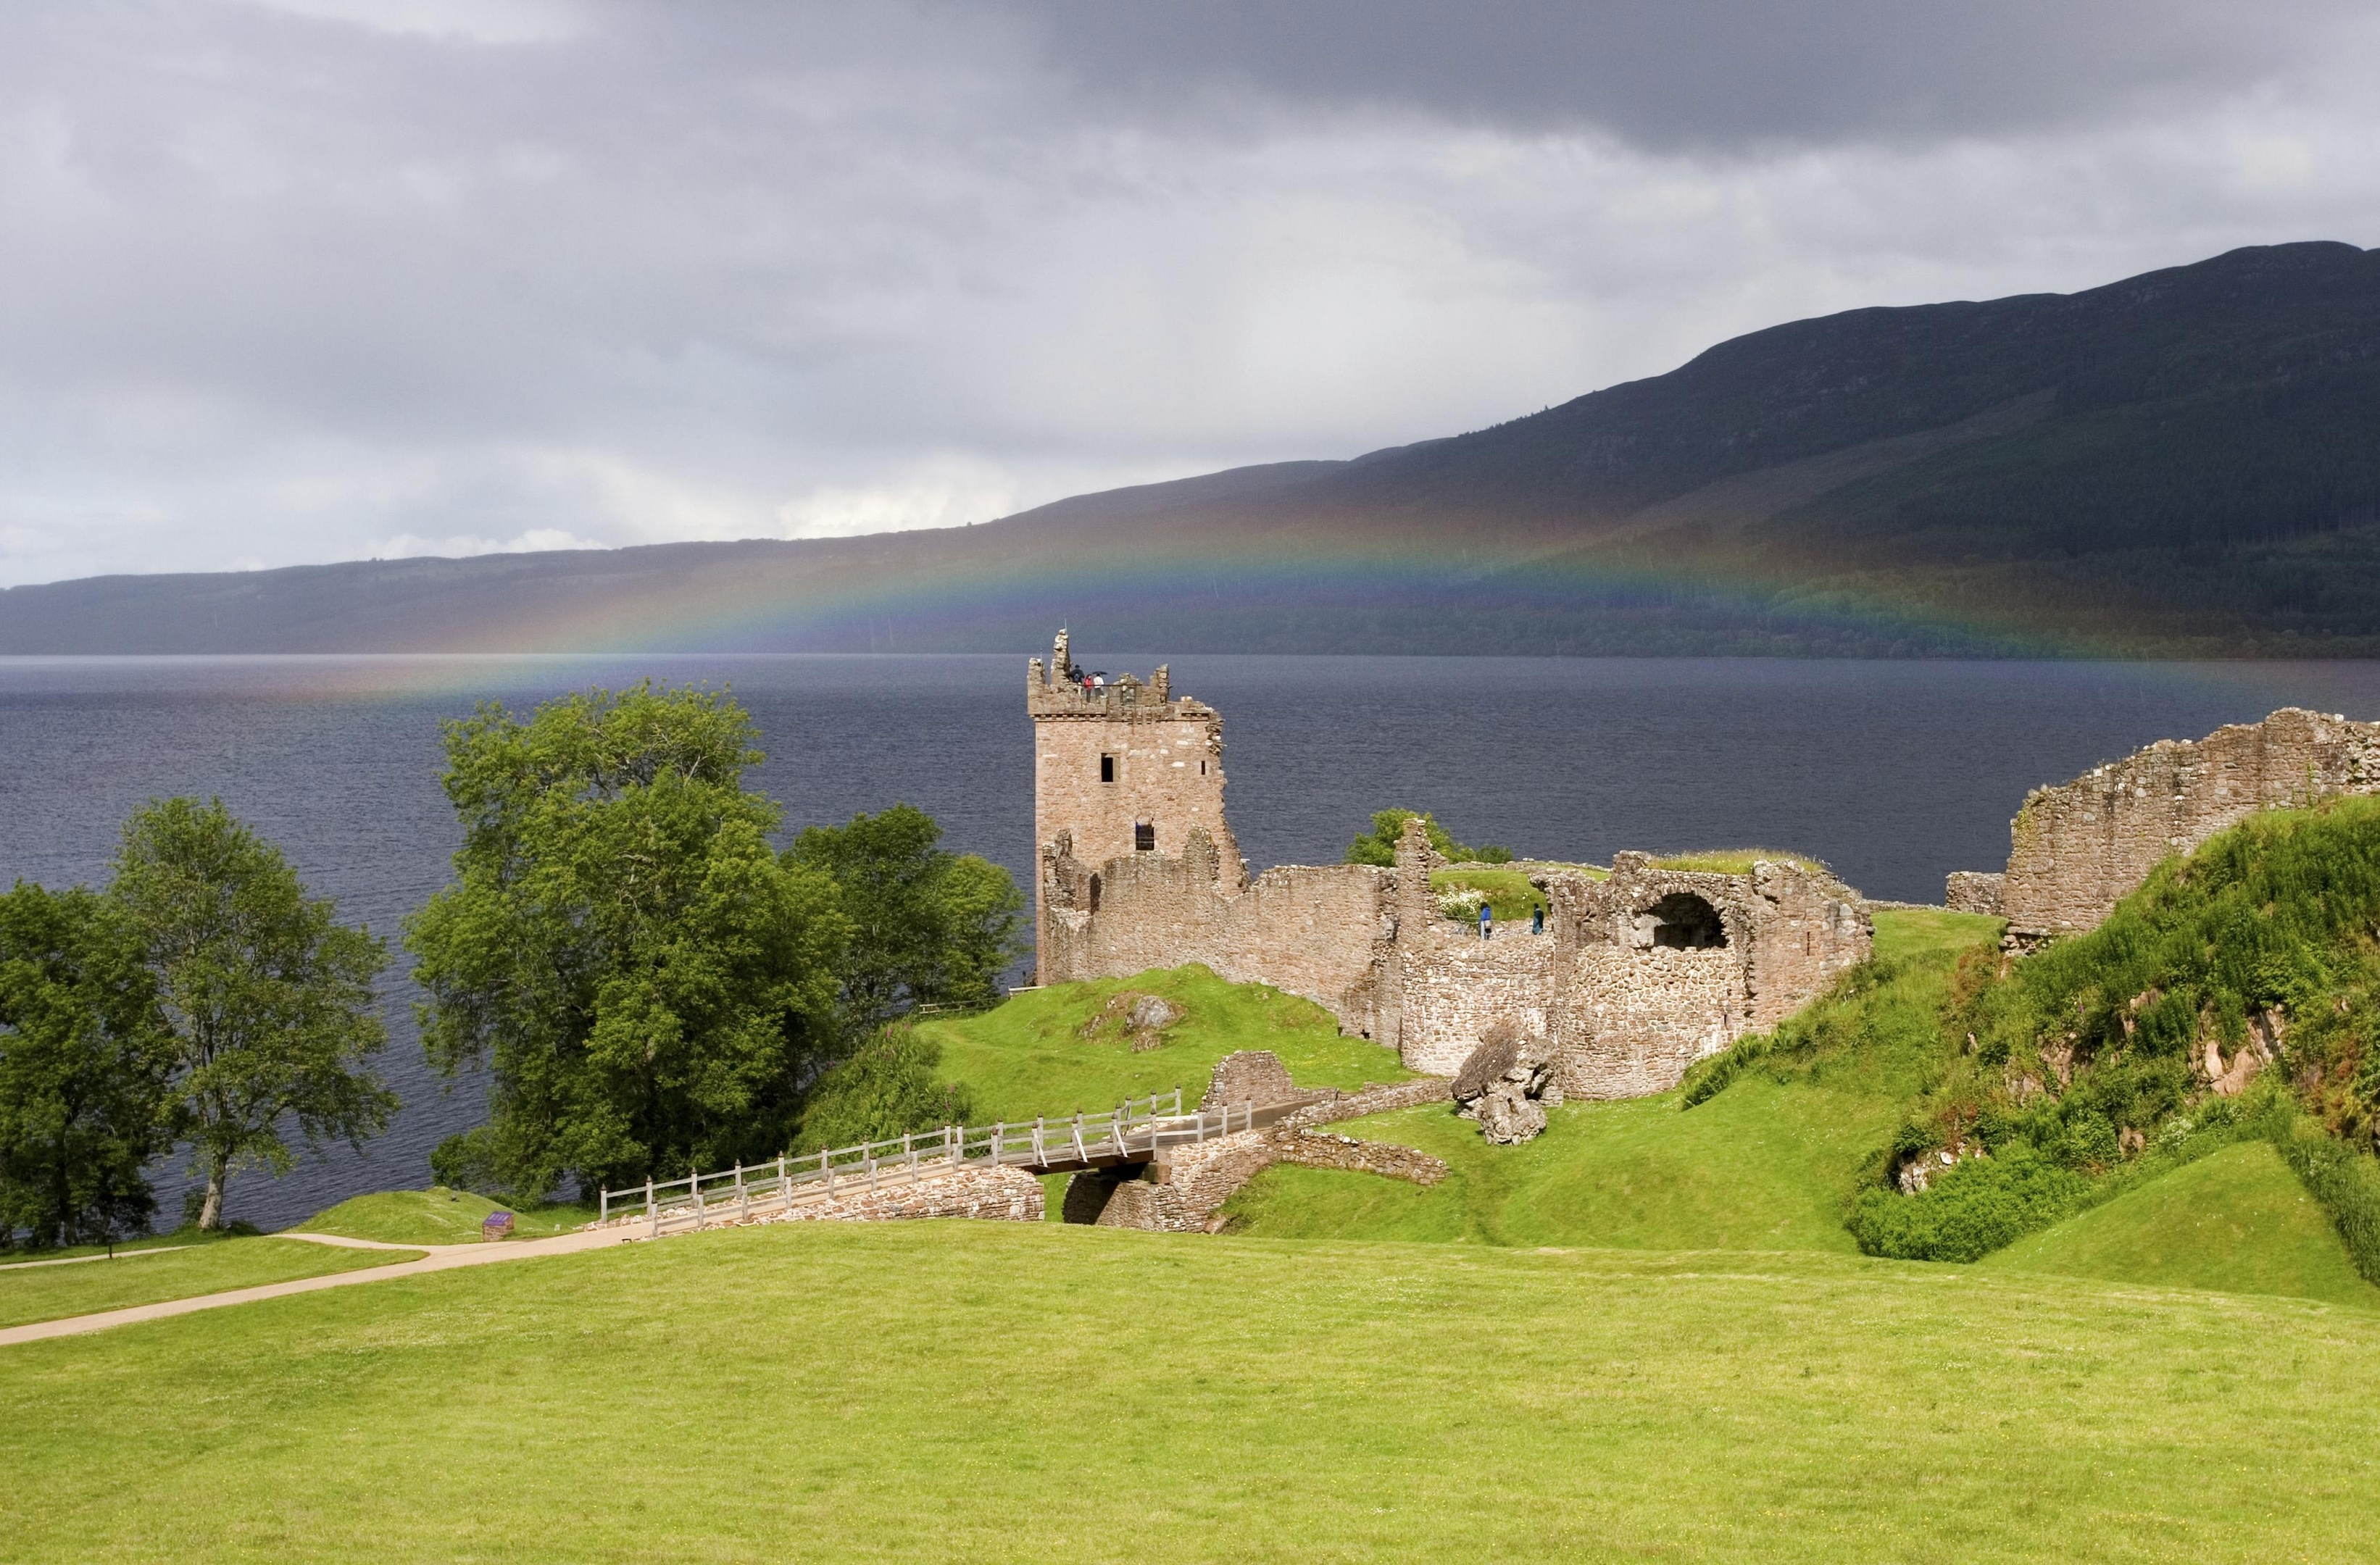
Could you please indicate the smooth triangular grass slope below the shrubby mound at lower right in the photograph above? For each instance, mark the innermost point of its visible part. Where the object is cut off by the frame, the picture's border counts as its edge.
(2234, 1221)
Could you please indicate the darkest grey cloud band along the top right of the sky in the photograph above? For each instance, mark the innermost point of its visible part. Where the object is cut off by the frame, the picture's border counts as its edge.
(1698, 75)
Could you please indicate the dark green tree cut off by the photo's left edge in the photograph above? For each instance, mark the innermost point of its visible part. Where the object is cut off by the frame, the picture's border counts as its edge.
(84, 1069)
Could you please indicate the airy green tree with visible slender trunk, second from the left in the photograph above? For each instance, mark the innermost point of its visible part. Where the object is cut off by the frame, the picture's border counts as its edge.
(270, 1000)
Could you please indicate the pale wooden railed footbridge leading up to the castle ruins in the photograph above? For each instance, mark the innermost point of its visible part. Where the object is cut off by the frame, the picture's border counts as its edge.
(1132, 1133)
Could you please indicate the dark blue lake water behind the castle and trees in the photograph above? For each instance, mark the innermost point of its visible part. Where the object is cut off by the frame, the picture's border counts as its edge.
(1893, 772)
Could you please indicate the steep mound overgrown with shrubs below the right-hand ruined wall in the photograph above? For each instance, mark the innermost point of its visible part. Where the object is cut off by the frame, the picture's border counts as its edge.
(2088, 1064)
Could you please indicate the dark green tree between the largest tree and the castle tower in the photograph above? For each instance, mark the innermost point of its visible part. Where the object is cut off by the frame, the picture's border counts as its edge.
(929, 926)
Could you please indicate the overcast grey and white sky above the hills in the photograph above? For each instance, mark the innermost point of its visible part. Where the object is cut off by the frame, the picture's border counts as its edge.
(325, 279)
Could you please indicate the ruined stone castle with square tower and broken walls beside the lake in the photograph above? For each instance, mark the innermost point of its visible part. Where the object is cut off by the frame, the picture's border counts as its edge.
(1639, 974)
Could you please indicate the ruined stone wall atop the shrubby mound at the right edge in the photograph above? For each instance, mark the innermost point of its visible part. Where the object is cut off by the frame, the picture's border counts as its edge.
(2081, 848)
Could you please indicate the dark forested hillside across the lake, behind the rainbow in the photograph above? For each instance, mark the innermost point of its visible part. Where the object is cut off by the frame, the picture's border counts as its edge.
(2186, 463)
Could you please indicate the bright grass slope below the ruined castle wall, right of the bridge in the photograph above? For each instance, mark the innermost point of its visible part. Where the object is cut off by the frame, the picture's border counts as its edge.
(1767, 1164)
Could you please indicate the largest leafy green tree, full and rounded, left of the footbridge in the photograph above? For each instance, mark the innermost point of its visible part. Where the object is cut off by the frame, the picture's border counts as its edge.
(651, 983)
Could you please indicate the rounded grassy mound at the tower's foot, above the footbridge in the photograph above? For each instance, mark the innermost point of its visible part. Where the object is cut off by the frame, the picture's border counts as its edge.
(1029, 1057)
